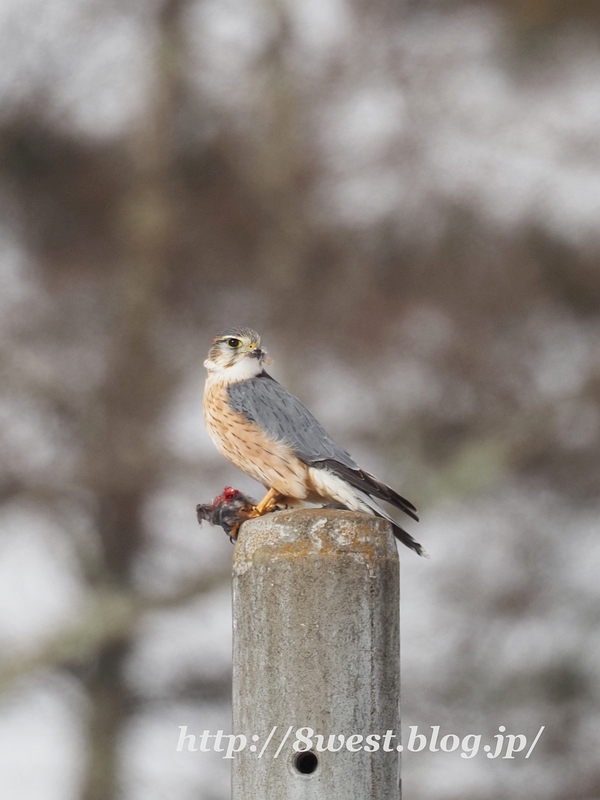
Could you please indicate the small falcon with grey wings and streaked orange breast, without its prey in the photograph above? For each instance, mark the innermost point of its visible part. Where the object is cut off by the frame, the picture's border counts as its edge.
(270, 435)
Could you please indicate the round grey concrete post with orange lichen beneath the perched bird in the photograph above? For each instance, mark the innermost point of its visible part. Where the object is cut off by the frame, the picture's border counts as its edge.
(316, 645)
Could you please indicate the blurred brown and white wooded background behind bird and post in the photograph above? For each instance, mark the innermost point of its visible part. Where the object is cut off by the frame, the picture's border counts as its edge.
(404, 199)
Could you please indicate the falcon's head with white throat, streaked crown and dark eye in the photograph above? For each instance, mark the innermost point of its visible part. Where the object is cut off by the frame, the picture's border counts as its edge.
(236, 355)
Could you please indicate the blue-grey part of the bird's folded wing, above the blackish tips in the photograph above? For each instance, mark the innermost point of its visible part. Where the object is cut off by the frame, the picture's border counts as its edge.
(269, 404)
